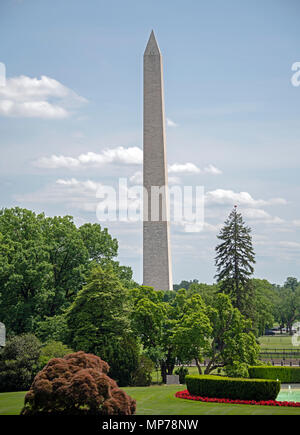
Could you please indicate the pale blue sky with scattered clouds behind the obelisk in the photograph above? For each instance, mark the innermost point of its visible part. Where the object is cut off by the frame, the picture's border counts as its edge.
(74, 87)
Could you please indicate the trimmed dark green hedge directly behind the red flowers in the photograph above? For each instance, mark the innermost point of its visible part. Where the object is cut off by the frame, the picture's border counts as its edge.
(232, 388)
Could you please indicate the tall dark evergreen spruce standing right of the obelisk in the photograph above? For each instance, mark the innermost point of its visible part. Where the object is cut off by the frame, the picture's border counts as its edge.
(234, 262)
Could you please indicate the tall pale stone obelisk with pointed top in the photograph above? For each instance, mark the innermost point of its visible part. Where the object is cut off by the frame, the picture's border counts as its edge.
(157, 266)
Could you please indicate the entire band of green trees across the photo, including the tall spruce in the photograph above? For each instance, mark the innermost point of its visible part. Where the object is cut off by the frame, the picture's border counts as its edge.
(63, 284)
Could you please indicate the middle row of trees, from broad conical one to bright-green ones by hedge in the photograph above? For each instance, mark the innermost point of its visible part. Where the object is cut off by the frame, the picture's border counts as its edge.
(127, 327)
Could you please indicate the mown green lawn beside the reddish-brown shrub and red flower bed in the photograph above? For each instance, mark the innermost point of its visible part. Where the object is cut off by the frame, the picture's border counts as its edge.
(160, 400)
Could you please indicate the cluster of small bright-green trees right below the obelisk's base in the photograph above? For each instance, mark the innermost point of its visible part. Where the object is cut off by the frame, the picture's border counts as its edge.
(187, 329)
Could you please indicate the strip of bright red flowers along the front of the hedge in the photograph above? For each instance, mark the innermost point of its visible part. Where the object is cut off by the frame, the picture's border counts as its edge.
(186, 395)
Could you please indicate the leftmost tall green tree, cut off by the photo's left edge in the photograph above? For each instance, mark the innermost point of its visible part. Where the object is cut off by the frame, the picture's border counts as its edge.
(25, 269)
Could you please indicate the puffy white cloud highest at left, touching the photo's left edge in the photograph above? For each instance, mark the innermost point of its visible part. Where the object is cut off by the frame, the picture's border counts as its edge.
(37, 98)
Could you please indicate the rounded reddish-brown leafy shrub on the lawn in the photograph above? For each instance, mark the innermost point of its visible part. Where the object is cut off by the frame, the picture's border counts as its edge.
(77, 384)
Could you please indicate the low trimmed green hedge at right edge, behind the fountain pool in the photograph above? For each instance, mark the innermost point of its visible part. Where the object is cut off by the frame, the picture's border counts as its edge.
(287, 375)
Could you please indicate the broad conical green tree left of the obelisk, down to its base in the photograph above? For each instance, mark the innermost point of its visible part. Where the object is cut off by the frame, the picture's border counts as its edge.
(98, 322)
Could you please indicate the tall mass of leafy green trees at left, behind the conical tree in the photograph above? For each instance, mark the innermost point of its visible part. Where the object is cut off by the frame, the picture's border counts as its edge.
(43, 264)
